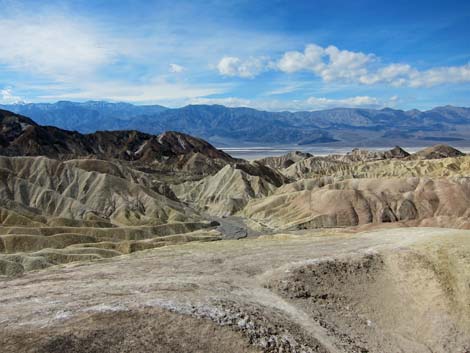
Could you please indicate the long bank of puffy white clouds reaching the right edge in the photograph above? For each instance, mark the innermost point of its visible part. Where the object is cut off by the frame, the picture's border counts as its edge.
(334, 65)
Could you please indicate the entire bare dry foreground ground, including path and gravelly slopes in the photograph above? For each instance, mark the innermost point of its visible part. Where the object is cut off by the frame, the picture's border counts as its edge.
(389, 290)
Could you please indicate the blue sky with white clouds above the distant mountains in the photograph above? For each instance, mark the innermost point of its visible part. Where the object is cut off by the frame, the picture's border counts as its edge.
(270, 54)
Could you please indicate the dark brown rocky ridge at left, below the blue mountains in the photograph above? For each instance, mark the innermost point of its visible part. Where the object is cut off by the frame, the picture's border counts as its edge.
(20, 136)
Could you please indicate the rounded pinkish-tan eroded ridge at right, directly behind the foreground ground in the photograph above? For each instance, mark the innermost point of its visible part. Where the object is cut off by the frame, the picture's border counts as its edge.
(353, 202)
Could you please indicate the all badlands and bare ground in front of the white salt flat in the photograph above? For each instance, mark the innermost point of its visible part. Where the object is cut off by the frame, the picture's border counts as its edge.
(128, 242)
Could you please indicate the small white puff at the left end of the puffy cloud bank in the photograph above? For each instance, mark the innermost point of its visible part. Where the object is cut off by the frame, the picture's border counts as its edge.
(233, 66)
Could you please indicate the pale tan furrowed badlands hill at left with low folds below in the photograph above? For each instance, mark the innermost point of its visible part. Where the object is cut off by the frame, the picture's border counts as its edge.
(53, 212)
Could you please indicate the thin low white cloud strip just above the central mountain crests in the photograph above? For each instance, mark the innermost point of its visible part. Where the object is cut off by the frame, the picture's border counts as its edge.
(311, 103)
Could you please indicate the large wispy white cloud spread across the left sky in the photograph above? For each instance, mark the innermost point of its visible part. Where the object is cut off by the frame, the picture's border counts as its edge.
(59, 56)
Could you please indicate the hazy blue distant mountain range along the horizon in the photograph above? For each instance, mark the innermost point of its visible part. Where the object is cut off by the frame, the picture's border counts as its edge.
(241, 126)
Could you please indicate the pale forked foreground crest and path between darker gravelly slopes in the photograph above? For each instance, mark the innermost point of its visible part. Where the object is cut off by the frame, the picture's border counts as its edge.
(219, 281)
